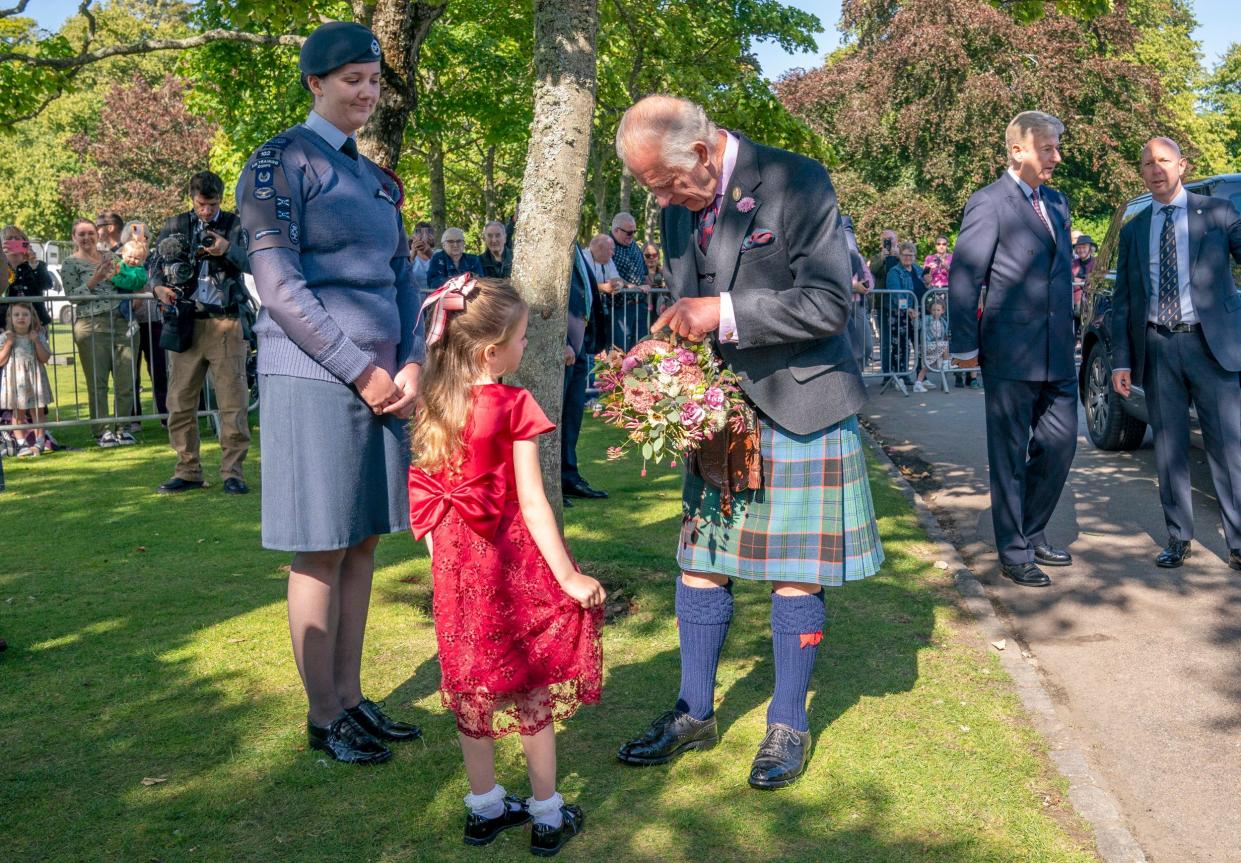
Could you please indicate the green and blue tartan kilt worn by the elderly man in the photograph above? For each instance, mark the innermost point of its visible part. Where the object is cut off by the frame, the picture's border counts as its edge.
(813, 521)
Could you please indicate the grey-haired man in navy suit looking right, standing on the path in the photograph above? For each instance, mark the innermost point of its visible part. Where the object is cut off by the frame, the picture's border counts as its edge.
(1015, 240)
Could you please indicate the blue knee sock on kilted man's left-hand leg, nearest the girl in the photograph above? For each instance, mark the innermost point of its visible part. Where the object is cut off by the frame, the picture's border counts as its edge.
(703, 617)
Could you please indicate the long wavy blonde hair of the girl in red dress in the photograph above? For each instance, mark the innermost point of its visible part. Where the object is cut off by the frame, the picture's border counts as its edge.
(491, 317)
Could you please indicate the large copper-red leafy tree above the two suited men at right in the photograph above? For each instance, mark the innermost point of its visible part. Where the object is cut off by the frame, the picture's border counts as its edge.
(918, 102)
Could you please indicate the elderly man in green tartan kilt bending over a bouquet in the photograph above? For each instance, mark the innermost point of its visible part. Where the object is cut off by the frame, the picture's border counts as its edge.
(758, 263)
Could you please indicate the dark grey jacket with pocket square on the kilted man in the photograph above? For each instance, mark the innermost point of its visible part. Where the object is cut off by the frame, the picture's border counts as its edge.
(792, 296)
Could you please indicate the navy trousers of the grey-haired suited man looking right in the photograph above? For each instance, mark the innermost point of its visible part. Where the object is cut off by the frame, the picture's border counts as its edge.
(1032, 436)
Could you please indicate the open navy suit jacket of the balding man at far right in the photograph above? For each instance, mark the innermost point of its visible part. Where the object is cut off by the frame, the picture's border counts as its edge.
(1214, 239)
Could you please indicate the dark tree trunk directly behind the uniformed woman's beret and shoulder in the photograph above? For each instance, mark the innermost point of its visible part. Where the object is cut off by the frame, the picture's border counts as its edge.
(401, 28)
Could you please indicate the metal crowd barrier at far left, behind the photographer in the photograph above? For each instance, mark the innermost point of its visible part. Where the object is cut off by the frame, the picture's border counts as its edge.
(107, 337)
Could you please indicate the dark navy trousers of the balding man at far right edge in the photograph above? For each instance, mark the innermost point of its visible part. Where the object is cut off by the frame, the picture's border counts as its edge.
(1180, 369)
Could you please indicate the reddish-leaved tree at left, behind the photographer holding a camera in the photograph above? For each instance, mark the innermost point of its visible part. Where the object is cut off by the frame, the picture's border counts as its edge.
(142, 156)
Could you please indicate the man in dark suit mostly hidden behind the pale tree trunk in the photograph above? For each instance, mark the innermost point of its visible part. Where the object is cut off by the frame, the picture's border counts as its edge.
(588, 335)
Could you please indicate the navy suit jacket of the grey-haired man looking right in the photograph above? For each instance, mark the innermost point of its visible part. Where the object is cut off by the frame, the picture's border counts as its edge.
(1027, 330)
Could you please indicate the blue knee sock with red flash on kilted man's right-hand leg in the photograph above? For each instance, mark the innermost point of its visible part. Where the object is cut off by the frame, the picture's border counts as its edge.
(797, 630)
